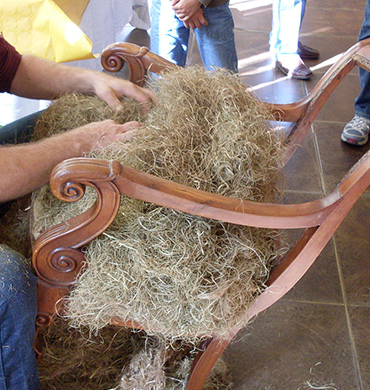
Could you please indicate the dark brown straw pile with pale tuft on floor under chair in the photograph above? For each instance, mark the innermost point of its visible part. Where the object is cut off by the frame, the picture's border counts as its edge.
(118, 359)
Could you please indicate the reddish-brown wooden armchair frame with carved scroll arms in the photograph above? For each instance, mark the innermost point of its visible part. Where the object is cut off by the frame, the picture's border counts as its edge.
(57, 258)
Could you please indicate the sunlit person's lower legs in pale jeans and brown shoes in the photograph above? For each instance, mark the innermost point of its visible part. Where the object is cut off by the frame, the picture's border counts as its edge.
(288, 51)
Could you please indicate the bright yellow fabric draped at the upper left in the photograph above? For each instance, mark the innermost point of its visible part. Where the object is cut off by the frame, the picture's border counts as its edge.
(41, 28)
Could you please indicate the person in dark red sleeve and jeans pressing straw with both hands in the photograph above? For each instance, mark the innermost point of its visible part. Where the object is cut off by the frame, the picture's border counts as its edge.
(25, 167)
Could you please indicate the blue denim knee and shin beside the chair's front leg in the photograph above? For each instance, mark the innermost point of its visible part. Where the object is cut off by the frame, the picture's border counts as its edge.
(18, 368)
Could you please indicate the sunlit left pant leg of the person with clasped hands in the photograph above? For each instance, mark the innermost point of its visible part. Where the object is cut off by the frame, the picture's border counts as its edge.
(168, 35)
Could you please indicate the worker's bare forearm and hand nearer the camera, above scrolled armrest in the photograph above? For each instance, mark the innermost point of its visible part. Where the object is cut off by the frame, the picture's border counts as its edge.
(26, 167)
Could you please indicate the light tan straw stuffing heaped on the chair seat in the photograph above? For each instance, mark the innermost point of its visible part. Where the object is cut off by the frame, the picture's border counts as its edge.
(178, 275)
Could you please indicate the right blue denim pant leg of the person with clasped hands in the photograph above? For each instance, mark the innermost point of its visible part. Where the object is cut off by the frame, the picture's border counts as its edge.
(216, 41)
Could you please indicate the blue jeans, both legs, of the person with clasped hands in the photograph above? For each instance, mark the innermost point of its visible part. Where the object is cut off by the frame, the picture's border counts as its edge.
(216, 42)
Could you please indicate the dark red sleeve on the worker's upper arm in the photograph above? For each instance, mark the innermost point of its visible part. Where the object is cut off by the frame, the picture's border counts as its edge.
(9, 62)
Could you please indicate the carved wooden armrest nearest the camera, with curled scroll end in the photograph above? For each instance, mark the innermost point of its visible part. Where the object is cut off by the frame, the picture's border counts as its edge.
(110, 179)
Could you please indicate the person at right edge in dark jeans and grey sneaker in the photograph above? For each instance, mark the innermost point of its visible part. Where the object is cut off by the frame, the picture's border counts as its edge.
(356, 131)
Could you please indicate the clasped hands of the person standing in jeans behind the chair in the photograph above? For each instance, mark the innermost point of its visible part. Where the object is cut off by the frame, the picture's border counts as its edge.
(190, 13)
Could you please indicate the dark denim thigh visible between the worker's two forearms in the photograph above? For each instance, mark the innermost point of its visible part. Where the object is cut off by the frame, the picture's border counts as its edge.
(20, 130)
